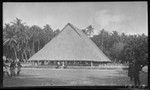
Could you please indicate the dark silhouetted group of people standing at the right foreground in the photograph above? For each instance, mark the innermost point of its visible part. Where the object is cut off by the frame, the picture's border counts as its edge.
(134, 72)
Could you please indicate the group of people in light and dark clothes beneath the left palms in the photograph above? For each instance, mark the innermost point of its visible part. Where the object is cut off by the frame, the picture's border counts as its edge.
(13, 69)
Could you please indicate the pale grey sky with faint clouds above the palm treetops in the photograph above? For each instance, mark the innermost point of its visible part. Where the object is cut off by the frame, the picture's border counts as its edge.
(127, 17)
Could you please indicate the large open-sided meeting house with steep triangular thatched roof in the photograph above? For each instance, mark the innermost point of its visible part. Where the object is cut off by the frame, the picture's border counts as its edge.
(70, 47)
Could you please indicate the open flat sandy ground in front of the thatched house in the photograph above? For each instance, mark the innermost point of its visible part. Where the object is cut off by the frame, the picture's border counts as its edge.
(70, 77)
